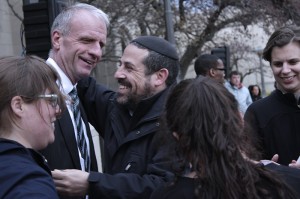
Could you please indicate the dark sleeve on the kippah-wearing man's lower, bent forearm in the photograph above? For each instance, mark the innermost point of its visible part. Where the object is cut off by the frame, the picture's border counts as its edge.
(131, 185)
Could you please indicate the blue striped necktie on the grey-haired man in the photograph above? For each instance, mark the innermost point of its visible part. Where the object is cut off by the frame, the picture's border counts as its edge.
(81, 141)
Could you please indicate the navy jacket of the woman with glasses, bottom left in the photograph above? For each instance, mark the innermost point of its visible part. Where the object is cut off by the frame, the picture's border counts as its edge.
(24, 173)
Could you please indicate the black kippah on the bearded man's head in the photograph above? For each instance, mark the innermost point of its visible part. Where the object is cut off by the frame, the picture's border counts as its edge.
(158, 45)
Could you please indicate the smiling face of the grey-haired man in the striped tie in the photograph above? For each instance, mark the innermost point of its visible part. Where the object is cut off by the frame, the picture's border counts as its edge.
(78, 52)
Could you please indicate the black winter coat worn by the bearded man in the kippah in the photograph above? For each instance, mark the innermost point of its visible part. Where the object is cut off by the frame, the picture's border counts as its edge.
(133, 165)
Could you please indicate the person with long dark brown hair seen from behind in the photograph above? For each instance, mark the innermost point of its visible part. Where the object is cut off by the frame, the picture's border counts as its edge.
(216, 158)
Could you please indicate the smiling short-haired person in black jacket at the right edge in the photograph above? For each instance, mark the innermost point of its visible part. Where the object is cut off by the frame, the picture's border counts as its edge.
(275, 118)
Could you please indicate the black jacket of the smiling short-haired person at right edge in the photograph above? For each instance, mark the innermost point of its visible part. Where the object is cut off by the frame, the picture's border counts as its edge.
(276, 121)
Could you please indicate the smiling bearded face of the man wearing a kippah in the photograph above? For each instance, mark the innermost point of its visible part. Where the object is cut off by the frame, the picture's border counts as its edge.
(134, 85)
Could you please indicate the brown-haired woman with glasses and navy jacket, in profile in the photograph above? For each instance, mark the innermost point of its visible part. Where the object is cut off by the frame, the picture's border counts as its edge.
(30, 102)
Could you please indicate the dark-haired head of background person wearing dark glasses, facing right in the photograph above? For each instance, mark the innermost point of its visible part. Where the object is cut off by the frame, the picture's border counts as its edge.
(211, 66)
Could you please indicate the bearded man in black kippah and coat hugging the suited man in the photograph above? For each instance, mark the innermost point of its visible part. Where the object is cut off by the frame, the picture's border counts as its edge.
(128, 120)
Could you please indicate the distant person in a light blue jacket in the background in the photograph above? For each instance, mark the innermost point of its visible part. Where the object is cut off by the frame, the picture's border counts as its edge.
(240, 92)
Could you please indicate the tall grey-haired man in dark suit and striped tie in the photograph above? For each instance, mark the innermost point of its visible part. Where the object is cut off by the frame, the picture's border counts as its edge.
(78, 34)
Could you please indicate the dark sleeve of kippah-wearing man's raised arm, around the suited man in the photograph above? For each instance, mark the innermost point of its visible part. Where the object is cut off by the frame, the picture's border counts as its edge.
(95, 99)
